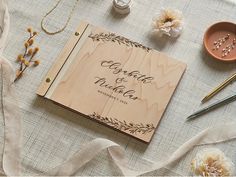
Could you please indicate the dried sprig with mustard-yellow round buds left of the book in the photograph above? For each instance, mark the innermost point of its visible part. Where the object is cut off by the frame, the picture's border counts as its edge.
(27, 58)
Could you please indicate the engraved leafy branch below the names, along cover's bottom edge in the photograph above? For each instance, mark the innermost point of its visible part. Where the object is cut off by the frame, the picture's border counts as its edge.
(133, 128)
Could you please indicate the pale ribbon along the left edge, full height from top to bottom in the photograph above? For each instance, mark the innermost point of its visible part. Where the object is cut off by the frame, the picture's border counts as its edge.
(12, 133)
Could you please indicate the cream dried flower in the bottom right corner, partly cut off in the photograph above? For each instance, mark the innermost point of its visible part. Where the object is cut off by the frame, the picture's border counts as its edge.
(212, 162)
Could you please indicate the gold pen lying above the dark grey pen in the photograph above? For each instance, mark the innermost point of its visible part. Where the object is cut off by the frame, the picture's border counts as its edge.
(219, 88)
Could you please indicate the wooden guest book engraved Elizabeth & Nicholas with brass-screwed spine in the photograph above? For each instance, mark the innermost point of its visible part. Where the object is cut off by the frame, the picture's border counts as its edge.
(113, 80)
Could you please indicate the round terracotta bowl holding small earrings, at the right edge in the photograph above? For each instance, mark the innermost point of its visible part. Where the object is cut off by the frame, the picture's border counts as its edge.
(224, 49)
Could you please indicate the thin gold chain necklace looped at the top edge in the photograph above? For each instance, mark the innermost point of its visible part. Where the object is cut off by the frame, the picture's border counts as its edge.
(50, 11)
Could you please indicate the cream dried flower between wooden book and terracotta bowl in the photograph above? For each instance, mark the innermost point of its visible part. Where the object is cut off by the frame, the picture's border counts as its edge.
(168, 22)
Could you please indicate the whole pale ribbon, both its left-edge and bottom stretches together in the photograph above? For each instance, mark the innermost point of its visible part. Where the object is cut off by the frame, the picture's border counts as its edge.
(11, 164)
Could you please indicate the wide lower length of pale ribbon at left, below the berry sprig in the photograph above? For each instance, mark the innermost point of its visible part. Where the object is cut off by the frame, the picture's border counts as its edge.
(12, 121)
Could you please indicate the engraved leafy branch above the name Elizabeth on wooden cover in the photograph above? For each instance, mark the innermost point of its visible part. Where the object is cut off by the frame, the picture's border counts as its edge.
(112, 37)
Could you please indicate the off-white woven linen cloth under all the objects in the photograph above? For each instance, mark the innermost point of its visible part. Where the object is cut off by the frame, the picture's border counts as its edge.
(52, 134)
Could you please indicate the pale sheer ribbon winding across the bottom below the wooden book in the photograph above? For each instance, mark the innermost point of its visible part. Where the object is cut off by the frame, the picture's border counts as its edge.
(211, 135)
